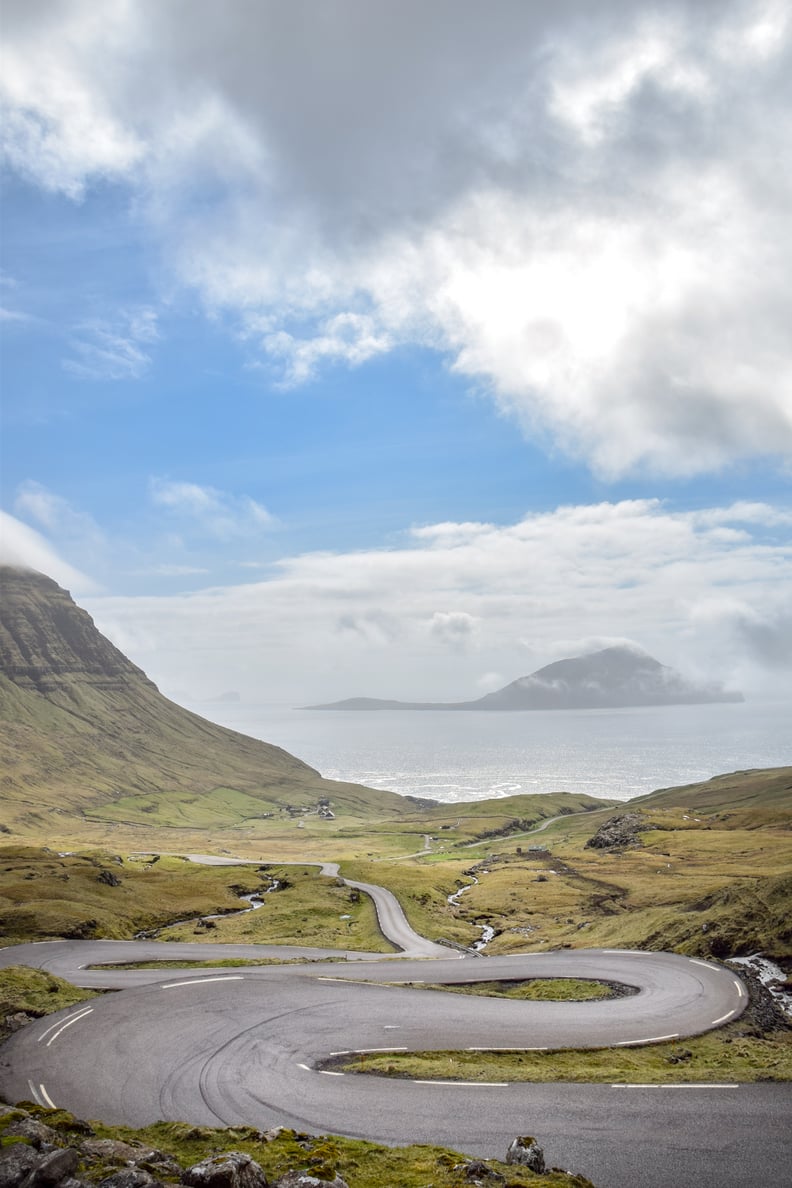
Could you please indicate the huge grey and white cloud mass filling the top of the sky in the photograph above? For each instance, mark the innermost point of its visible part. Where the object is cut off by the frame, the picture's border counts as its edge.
(579, 205)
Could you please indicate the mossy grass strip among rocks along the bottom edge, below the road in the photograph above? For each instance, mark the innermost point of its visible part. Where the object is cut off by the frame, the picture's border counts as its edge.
(362, 1165)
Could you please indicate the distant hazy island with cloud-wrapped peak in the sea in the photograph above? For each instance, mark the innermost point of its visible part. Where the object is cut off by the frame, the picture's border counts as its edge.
(613, 679)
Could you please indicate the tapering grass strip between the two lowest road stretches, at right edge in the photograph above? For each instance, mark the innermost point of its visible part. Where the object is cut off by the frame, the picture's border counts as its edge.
(727, 1056)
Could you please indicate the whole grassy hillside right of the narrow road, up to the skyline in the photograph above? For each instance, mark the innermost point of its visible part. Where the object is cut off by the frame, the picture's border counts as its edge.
(709, 873)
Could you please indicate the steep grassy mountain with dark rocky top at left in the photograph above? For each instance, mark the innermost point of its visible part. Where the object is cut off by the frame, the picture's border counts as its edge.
(85, 734)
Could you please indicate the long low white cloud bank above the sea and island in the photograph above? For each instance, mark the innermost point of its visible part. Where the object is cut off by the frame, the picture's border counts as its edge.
(331, 625)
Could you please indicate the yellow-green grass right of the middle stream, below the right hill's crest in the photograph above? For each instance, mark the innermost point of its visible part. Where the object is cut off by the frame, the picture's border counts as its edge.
(714, 887)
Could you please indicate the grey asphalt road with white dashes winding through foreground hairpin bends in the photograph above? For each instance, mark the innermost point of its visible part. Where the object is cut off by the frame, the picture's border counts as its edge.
(221, 1047)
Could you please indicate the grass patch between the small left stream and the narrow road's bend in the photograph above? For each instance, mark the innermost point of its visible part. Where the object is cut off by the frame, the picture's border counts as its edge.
(311, 909)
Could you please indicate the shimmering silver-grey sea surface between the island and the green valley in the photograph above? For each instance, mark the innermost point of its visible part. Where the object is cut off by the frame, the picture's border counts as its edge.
(468, 756)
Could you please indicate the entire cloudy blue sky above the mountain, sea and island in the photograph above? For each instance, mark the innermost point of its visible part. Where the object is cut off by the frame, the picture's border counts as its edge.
(397, 350)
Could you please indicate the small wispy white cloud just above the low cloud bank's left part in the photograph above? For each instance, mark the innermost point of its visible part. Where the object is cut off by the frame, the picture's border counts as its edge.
(216, 514)
